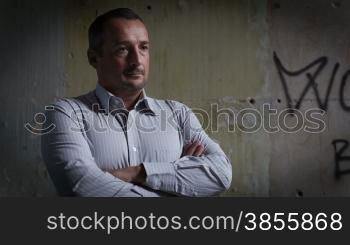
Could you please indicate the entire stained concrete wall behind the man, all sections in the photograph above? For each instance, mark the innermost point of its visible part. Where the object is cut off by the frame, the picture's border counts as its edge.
(207, 54)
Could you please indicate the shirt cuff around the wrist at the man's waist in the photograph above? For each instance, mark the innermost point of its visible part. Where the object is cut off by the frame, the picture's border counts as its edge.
(160, 176)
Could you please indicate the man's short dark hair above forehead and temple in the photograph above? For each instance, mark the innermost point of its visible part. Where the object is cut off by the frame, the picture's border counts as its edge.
(97, 26)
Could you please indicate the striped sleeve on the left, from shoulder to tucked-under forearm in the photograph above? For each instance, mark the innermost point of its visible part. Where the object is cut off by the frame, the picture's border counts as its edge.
(71, 164)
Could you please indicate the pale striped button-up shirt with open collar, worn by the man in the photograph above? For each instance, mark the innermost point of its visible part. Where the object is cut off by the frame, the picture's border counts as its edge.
(94, 134)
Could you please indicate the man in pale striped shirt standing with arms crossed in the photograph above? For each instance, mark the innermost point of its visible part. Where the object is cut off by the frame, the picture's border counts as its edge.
(116, 141)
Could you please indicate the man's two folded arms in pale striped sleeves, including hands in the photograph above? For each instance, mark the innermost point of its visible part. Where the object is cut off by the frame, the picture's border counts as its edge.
(203, 170)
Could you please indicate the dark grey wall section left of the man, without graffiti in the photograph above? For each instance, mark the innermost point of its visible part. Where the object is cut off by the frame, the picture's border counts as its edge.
(31, 75)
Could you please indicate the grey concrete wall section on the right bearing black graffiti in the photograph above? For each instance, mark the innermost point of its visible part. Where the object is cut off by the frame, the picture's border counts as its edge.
(299, 35)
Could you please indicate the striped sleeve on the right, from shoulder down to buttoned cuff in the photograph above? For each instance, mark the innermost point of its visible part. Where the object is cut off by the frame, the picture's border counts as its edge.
(207, 175)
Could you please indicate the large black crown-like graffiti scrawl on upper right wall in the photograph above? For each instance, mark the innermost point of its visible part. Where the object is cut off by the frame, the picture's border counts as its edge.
(320, 64)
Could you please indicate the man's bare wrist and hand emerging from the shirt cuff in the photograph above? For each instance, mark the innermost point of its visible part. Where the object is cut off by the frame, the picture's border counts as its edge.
(135, 174)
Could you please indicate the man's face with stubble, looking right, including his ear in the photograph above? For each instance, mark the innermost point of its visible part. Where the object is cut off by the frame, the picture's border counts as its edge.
(123, 64)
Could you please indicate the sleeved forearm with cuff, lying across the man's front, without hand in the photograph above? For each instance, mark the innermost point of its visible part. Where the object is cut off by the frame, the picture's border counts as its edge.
(190, 176)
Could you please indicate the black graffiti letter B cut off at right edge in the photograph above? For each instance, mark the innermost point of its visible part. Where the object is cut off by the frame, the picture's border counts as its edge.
(340, 145)
